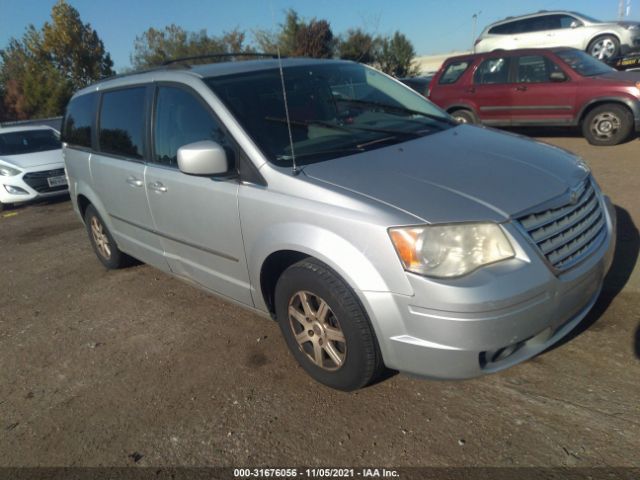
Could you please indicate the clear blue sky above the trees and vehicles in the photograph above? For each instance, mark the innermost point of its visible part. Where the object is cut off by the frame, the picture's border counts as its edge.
(434, 26)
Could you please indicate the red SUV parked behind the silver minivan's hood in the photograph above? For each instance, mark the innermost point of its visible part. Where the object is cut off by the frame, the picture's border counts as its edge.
(541, 87)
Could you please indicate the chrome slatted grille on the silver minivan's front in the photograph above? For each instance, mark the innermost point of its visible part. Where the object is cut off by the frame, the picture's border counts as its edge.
(567, 234)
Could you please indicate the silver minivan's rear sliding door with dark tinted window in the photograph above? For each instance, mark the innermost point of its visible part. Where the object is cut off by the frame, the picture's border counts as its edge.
(118, 169)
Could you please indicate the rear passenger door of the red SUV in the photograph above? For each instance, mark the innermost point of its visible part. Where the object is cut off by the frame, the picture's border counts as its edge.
(491, 90)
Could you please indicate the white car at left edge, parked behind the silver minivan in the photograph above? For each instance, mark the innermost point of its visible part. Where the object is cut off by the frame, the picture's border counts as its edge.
(31, 164)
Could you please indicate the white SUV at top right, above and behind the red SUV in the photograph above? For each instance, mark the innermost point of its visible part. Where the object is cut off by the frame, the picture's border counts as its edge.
(603, 40)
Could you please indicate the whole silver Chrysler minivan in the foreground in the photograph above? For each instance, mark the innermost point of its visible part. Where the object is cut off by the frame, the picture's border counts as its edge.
(326, 195)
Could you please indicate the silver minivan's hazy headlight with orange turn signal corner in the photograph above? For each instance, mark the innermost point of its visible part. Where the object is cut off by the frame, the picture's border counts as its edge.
(450, 250)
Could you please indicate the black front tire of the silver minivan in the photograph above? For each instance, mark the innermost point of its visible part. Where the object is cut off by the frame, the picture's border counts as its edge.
(362, 361)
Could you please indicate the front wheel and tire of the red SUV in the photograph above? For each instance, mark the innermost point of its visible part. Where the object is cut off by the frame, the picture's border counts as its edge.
(608, 124)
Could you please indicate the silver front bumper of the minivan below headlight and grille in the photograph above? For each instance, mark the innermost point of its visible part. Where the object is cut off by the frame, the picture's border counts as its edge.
(487, 322)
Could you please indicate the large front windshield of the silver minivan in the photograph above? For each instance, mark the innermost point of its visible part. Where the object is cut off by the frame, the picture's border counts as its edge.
(335, 109)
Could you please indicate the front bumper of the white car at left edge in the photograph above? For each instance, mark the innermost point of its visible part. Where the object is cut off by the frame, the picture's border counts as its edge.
(34, 183)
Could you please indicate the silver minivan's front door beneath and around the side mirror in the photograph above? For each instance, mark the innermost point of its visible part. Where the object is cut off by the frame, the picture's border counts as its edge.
(196, 217)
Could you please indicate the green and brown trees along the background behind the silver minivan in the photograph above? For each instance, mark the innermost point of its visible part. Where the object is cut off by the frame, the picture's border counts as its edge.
(40, 71)
